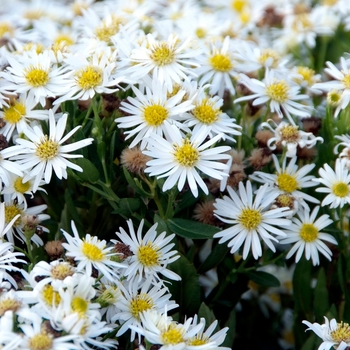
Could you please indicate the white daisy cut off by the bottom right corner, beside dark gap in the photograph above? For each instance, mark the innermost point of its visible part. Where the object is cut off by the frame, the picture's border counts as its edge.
(333, 334)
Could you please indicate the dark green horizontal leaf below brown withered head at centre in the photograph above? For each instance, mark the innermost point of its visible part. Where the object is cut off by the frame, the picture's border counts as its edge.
(192, 229)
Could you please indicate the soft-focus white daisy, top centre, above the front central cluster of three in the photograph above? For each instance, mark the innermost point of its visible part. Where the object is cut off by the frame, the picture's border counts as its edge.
(217, 67)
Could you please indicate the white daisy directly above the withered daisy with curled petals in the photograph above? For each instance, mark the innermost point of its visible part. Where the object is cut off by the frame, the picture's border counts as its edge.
(280, 94)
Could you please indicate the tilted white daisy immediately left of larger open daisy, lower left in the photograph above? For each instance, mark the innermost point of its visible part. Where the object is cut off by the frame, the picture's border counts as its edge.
(91, 252)
